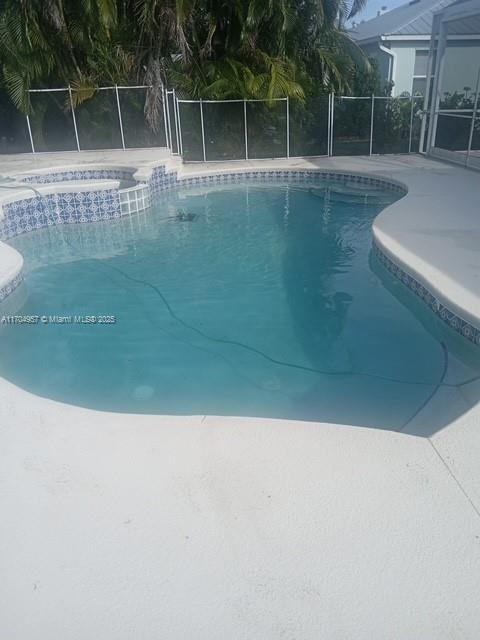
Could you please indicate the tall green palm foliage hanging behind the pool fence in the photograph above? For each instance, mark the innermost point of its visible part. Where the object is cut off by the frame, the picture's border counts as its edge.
(205, 48)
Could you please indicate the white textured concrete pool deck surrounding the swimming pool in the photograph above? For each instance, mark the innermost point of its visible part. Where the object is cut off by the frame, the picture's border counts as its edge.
(117, 526)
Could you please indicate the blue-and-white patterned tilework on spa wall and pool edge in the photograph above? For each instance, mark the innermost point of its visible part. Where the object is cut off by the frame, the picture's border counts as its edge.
(112, 192)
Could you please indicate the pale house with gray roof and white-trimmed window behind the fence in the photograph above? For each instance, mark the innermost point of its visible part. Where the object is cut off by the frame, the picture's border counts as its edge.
(400, 40)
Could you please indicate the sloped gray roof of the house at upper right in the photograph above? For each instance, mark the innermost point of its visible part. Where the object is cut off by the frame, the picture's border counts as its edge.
(411, 19)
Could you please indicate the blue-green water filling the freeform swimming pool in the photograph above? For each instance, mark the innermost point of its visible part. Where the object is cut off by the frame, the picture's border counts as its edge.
(250, 300)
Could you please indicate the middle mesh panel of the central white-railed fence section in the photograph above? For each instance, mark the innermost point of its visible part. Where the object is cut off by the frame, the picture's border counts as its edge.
(224, 124)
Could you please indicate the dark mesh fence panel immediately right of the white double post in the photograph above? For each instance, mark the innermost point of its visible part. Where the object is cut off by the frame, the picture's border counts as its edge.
(351, 126)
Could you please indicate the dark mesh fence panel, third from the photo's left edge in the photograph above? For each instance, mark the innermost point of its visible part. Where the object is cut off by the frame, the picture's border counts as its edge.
(97, 122)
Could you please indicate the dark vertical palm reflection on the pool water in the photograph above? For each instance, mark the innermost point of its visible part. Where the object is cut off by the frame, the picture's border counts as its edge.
(312, 263)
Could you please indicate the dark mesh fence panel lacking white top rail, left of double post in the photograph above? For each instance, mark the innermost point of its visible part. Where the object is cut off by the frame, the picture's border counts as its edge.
(309, 127)
